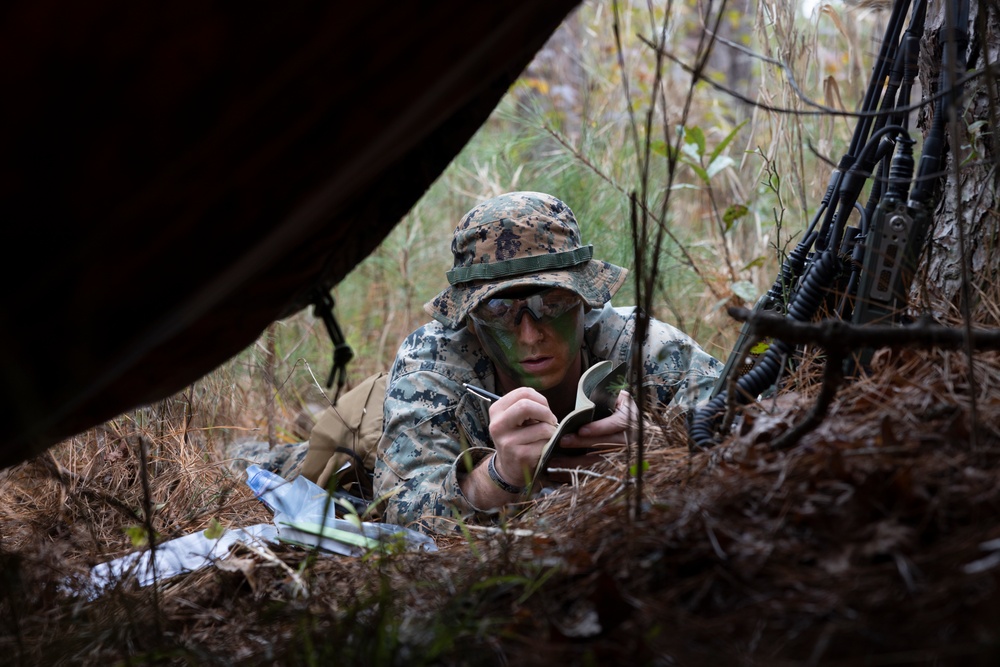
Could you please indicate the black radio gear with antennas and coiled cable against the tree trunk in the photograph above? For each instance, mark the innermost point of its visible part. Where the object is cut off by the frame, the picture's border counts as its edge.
(857, 273)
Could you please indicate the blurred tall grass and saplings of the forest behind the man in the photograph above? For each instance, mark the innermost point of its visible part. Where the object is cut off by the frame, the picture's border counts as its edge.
(746, 182)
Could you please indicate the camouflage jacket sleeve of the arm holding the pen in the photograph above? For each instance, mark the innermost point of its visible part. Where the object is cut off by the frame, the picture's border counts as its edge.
(435, 430)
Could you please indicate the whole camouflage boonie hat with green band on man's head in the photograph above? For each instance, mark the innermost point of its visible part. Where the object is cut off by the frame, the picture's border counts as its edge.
(516, 239)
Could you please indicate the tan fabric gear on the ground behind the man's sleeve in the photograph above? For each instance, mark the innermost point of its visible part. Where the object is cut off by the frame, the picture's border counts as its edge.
(347, 434)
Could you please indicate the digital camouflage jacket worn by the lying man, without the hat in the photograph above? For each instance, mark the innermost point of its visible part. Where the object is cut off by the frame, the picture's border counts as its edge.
(431, 420)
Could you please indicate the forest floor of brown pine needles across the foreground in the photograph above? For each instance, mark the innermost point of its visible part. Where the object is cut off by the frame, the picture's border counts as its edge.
(874, 539)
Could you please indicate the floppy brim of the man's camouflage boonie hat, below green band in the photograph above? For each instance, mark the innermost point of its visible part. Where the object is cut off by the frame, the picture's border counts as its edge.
(595, 281)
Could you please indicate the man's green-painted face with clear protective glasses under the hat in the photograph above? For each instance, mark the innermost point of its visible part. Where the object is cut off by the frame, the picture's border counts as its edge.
(536, 353)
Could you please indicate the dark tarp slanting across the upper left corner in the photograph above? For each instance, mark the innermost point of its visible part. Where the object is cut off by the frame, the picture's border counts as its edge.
(176, 176)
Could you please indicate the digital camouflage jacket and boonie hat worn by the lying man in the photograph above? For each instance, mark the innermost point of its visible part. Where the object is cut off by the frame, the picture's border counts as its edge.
(434, 429)
